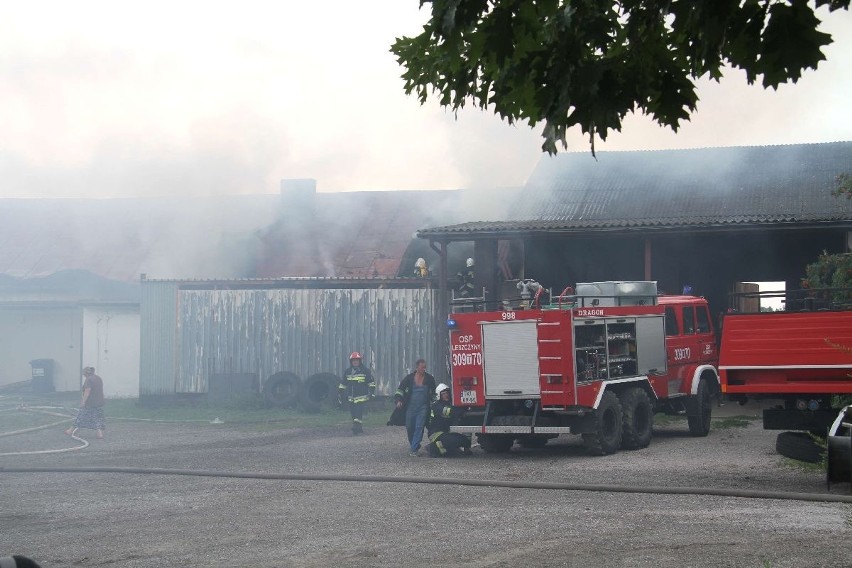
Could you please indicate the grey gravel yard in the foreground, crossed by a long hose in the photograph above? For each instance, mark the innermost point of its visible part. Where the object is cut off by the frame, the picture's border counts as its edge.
(140, 520)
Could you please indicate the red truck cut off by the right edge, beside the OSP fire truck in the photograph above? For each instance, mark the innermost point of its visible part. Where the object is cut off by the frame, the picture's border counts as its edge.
(800, 357)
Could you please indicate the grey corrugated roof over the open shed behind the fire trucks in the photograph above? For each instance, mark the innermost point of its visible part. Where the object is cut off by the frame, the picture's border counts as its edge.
(707, 187)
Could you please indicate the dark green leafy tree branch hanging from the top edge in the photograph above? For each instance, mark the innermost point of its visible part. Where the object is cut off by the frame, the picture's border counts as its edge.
(590, 62)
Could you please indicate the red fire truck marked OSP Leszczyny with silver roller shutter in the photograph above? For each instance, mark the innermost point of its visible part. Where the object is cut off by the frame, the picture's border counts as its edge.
(598, 361)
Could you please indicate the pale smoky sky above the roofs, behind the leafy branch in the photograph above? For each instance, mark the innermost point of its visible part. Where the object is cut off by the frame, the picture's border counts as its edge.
(117, 99)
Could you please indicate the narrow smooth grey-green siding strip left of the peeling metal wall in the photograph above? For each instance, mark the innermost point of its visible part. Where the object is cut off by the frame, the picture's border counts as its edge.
(157, 327)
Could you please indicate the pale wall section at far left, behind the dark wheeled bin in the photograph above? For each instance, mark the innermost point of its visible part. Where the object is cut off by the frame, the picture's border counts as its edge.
(28, 333)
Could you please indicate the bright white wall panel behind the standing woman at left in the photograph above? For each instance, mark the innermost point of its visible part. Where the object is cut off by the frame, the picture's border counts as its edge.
(111, 346)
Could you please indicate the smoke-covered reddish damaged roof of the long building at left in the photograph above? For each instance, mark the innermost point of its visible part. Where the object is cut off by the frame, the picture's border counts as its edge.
(349, 234)
